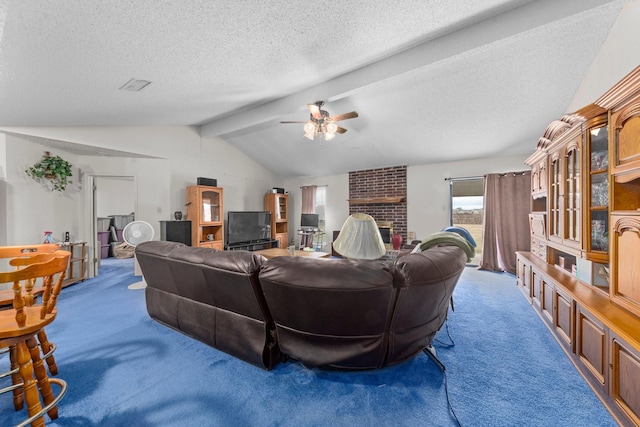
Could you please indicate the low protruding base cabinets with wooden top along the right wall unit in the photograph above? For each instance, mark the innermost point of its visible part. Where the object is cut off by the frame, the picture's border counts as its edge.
(601, 338)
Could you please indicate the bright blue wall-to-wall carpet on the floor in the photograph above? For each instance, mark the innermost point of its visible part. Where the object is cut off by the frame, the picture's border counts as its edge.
(125, 369)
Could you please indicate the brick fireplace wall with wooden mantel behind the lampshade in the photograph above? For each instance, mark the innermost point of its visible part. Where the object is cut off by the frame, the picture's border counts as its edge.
(381, 193)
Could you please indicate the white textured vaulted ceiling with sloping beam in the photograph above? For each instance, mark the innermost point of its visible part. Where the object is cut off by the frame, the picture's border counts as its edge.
(432, 80)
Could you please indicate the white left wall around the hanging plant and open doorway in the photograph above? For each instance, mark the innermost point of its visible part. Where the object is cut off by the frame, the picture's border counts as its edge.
(177, 157)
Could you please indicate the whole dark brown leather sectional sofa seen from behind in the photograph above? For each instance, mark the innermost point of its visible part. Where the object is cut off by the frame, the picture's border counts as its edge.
(333, 313)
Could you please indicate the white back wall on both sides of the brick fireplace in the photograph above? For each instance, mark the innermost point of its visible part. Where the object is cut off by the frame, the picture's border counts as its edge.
(428, 208)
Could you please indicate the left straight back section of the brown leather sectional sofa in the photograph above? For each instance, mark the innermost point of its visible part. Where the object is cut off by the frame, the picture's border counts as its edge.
(210, 295)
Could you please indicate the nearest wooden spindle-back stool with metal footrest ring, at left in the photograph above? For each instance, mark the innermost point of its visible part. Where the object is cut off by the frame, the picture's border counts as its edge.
(19, 327)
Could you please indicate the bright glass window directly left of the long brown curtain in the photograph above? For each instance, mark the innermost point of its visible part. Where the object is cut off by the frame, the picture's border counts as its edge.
(467, 209)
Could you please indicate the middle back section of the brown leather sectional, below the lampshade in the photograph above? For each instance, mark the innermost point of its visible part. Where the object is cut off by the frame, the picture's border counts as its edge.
(330, 312)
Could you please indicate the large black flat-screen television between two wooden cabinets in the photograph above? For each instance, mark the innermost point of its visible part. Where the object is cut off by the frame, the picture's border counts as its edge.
(248, 227)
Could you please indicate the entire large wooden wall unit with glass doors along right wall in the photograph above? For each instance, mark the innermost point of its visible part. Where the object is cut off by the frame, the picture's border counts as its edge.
(582, 275)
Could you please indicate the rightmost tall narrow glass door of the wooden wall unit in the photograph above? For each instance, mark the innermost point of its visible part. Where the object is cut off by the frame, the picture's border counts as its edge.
(598, 216)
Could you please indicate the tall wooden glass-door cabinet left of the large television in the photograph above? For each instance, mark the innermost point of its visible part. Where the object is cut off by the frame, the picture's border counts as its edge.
(205, 211)
